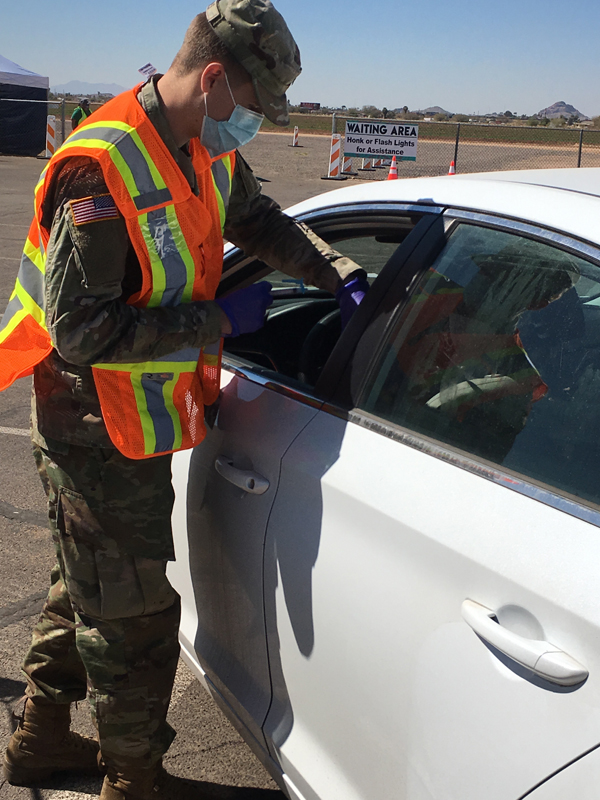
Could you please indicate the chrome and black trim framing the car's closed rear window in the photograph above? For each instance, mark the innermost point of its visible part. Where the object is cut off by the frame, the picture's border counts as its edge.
(549, 495)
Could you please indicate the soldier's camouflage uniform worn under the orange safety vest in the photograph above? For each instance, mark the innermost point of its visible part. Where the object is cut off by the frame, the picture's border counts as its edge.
(111, 619)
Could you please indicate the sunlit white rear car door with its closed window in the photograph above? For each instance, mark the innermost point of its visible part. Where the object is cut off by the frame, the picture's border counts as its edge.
(433, 607)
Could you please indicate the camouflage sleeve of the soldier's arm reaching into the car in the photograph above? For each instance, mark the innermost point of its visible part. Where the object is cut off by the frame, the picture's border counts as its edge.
(258, 226)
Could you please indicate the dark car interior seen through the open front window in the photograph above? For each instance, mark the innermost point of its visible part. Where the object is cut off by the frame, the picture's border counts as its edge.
(303, 325)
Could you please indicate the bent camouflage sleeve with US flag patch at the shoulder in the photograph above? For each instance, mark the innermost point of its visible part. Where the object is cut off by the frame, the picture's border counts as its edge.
(87, 271)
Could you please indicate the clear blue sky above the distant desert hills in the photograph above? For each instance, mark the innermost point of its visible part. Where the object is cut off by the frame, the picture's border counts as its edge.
(464, 55)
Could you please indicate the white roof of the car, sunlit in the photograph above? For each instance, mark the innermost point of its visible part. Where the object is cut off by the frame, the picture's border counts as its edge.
(567, 200)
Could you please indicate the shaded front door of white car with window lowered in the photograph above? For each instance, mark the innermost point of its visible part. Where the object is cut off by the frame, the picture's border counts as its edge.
(225, 487)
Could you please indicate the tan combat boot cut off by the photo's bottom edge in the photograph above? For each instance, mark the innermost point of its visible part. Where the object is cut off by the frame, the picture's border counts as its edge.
(153, 784)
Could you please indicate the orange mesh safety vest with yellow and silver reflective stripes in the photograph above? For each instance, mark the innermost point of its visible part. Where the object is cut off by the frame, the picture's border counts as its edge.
(155, 407)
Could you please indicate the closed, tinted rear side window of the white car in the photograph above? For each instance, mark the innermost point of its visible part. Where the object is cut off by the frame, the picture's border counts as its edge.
(497, 352)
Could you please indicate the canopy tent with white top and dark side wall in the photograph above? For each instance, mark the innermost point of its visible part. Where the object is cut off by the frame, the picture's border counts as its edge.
(23, 109)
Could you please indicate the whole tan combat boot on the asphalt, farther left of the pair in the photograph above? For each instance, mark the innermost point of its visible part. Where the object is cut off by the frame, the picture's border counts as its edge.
(43, 745)
